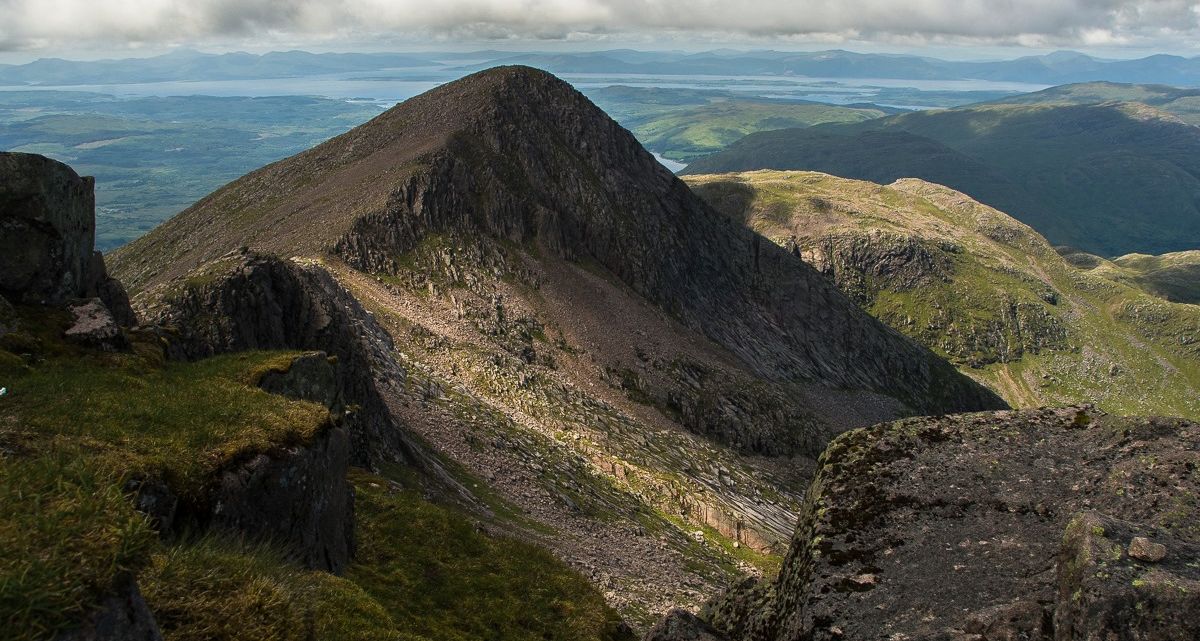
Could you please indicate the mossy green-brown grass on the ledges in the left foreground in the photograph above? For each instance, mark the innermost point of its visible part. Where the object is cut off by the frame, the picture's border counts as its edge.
(76, 426)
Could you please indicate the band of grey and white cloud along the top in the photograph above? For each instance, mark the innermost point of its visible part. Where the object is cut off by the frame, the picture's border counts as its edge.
(50, 23)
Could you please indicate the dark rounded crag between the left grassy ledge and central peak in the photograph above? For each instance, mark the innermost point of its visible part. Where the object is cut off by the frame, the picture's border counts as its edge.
(250, 302)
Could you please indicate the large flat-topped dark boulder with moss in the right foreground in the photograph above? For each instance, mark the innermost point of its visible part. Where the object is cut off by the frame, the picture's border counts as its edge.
(953, 529)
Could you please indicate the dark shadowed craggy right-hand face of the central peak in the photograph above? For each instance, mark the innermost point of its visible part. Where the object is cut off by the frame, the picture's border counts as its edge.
(538, 163)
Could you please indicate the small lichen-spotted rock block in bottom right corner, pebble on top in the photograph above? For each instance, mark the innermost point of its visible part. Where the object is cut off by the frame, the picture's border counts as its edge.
(1107, 592)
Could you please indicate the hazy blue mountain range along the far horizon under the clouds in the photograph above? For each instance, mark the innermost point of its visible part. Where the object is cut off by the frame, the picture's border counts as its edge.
(1060, 68)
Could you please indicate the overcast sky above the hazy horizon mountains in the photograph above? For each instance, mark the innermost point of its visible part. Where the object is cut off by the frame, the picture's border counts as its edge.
(44, 28)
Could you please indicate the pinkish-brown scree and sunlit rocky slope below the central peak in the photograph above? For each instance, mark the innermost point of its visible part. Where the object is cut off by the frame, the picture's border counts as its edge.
(657, 517)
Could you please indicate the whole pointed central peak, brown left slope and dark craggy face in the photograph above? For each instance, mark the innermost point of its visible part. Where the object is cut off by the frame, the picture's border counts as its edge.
(515, 155)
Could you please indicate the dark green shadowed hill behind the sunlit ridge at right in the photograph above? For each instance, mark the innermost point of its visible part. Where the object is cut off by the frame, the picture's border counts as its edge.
(1109, 179)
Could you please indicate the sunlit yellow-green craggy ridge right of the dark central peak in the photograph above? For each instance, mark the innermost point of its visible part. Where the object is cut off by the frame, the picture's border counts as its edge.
(981, 289)
